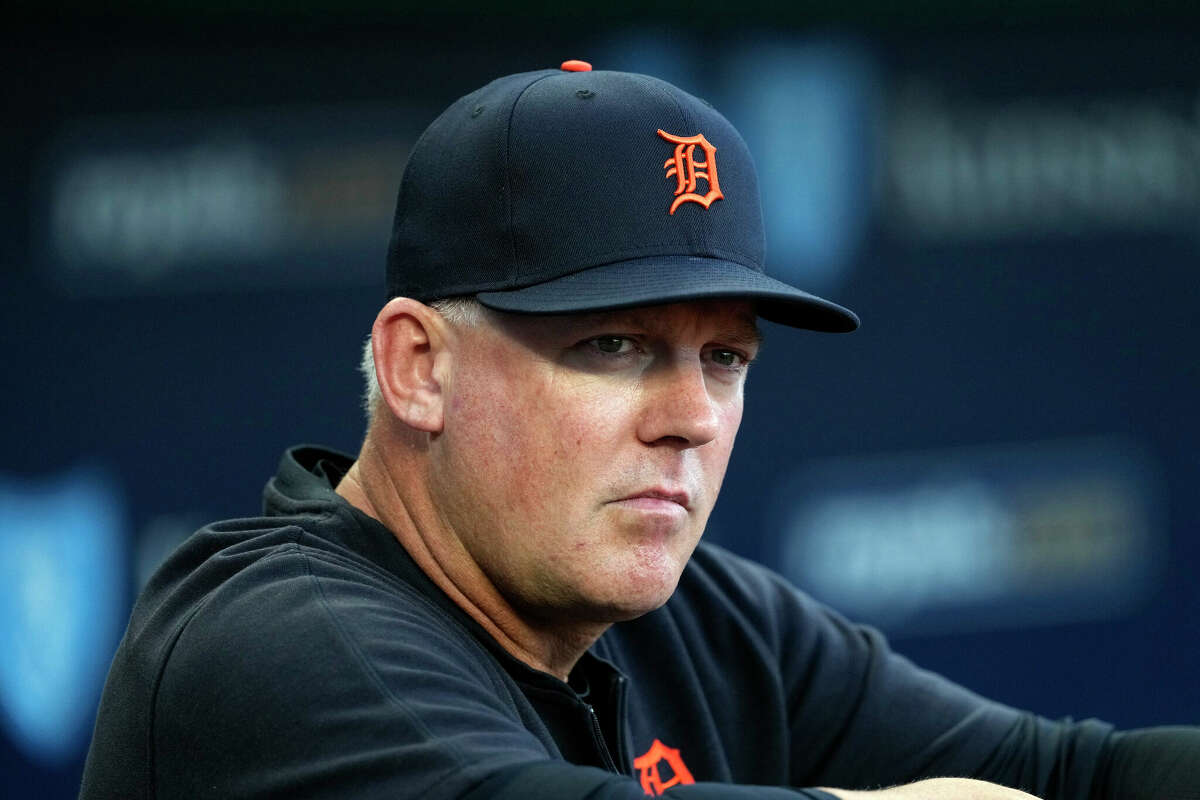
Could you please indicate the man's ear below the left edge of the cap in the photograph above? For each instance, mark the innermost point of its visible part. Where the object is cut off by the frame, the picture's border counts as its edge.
(407, 339)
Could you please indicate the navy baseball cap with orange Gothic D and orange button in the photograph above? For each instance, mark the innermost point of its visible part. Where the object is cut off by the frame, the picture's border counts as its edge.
(572, 190)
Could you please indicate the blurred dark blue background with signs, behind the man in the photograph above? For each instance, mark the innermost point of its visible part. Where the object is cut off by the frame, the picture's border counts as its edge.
(999, 470)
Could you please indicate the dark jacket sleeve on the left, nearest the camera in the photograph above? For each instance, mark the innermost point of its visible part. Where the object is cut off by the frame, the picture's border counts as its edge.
(299, 678)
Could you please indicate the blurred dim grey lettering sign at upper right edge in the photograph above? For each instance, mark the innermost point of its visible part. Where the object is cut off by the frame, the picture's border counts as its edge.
(965, 171)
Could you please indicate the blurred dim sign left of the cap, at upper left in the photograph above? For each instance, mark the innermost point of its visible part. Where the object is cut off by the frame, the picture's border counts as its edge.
(209, 202)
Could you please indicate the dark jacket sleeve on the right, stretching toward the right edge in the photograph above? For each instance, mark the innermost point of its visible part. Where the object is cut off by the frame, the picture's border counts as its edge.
(863, 717)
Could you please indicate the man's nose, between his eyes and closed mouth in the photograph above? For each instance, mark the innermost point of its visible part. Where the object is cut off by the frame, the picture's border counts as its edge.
(679, 406)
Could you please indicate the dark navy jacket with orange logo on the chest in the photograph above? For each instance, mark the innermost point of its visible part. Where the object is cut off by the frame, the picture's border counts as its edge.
(304, 654)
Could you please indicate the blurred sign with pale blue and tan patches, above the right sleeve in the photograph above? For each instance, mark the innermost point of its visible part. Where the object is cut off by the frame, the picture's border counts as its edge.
(973, 540)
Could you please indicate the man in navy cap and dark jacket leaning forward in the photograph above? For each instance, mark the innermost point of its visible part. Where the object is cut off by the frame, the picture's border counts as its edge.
(506, 596)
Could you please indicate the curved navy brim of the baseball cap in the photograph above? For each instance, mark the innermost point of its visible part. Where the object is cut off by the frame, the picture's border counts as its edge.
(674, 279)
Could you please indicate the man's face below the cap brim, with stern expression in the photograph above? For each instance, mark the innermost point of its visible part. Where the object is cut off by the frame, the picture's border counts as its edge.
(581, 455)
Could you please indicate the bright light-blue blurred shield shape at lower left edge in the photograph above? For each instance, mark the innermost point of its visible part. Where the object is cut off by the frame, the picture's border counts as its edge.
(64, 593)
